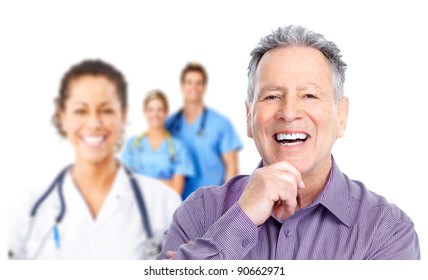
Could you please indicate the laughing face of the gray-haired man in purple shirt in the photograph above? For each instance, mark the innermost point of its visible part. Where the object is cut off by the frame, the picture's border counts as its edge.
(294, 116)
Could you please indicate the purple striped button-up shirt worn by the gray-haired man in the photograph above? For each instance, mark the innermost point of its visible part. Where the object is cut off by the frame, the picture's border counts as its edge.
(345, 221)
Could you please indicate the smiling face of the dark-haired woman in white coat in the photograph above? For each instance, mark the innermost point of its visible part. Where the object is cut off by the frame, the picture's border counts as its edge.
(93, 118)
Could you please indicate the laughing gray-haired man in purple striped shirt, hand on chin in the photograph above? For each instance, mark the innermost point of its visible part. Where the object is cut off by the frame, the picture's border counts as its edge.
(297, 204)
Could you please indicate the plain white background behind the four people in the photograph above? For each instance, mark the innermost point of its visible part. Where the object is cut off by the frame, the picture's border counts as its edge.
(383, 43)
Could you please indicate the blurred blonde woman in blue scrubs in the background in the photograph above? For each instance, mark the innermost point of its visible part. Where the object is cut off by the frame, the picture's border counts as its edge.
(155, 153)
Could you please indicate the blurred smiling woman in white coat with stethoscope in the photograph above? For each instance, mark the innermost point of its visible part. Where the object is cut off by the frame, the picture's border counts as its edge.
(95, 208)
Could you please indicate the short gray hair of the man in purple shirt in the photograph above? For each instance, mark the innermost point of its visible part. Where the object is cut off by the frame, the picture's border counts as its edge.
(295, 35)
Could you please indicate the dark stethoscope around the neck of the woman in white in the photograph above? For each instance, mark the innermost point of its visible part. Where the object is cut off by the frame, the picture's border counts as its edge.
(151, 247)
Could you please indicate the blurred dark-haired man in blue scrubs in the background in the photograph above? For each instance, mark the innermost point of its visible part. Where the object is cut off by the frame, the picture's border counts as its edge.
(210, 137)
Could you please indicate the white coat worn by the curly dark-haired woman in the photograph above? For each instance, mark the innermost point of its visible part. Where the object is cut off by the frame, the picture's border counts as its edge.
(116, 233)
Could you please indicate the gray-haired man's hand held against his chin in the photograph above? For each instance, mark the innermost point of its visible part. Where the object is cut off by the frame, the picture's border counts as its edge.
(271, 188)
